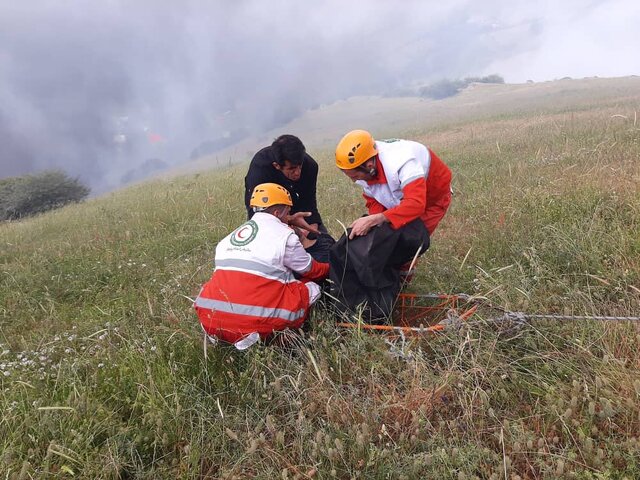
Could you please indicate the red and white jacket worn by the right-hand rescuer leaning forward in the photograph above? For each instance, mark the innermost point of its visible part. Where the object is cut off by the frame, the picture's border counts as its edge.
(412, 183)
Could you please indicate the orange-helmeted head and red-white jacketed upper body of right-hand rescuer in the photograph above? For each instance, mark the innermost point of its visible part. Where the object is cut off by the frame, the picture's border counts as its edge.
(402, 181)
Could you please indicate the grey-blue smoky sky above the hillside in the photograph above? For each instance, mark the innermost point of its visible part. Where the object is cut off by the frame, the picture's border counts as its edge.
(115, 90)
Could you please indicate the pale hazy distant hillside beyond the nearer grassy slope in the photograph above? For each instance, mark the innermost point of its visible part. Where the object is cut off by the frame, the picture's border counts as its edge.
(323, 127)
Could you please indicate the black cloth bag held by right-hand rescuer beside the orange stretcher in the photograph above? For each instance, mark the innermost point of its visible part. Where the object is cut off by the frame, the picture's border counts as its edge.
(364, 272)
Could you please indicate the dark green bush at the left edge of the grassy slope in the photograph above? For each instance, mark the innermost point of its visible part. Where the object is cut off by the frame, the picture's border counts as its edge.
(31, 194)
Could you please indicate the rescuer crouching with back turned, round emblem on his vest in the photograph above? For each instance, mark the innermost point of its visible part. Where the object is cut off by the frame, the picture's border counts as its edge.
(253, 291)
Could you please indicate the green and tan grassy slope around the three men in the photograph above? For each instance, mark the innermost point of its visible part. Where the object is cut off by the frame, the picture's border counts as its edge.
(95, 322)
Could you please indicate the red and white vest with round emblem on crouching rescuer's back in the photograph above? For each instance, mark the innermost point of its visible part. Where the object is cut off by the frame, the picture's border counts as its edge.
(251, 290)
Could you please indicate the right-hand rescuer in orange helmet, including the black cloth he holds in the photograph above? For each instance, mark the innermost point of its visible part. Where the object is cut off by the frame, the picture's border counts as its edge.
(407, 190)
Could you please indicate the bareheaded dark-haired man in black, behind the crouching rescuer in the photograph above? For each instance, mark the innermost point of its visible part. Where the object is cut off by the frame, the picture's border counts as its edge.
(286, 163)
